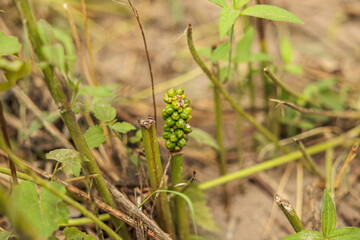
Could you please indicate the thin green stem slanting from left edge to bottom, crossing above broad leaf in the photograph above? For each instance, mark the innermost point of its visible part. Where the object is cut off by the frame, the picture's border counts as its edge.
(39, 181)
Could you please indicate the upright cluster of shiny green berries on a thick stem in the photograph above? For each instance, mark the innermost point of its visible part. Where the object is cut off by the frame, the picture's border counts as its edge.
(176, 114)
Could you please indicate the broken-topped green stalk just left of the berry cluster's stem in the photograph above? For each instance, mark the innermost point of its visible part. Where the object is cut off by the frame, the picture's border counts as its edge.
(155, 173)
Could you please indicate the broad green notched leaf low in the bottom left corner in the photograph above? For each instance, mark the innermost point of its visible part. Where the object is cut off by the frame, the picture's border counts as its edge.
(42, 211)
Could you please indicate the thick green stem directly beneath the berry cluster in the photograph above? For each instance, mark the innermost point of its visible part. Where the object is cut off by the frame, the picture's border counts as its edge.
(180, 212)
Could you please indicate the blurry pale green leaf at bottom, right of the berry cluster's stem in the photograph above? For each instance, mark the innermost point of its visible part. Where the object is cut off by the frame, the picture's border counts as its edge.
(202, 212)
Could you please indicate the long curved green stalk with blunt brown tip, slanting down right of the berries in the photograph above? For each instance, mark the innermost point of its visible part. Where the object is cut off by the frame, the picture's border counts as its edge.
(227, 96)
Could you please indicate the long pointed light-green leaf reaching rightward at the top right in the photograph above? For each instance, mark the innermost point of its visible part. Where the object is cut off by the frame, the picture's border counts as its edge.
(272, 13)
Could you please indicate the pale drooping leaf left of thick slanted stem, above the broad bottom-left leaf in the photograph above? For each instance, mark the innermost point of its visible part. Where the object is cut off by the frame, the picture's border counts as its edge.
(70, 160)
